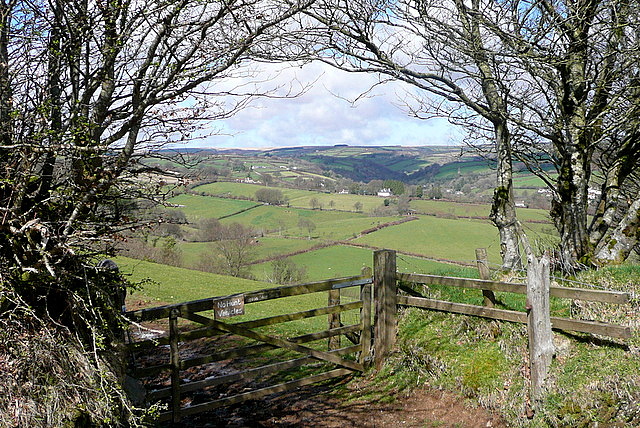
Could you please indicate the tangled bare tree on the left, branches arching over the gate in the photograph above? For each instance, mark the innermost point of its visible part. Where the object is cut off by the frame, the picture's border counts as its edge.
(87, 90)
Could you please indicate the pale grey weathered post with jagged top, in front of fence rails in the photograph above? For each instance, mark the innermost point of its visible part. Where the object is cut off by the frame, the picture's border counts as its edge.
(539, 324)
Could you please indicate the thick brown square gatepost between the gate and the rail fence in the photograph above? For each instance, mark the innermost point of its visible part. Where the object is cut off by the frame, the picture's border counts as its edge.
(386, 297)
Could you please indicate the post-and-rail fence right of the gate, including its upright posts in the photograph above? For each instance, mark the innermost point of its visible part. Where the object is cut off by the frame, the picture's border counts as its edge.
(395, 292)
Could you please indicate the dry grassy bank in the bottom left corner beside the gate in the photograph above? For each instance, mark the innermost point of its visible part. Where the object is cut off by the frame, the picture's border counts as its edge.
(48, 378)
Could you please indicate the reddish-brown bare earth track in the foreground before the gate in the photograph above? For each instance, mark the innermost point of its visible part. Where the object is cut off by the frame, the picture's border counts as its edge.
(317, 407)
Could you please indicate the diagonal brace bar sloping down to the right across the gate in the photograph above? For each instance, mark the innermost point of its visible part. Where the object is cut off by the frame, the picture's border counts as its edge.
(281, 343)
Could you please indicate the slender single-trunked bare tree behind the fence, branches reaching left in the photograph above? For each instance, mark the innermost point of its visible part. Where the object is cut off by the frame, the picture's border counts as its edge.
(438, 48)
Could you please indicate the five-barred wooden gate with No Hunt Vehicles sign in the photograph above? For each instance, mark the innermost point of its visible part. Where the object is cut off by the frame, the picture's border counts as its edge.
(218, 308)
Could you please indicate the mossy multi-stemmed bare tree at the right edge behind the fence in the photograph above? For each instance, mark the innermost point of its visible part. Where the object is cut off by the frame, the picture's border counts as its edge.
(575, 106)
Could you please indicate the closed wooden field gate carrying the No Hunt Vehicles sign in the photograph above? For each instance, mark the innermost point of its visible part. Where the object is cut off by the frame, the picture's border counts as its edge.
(171, 362)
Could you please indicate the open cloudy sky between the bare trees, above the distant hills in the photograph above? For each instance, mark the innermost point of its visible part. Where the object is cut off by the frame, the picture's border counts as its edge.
(324, 116)
